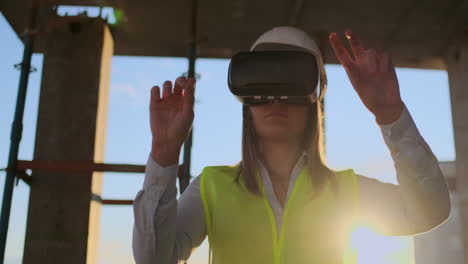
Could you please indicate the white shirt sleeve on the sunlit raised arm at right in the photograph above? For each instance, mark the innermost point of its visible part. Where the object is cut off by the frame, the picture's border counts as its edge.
(421, 200)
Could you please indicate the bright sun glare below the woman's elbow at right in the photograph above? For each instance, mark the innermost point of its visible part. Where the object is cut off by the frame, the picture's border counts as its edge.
(368, 247)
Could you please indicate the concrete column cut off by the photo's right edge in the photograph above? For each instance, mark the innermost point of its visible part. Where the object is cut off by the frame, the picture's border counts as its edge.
(457, 66)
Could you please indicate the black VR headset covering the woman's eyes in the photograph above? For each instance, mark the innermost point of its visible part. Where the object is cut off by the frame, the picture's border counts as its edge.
(289, 76)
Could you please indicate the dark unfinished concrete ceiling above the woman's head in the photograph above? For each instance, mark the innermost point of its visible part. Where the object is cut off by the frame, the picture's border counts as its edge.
(417, 33)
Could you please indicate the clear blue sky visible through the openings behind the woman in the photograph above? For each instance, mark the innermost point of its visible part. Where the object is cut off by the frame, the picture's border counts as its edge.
(353, 138)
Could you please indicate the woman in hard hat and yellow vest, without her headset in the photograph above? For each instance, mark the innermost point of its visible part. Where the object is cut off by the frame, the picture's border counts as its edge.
(281, 203)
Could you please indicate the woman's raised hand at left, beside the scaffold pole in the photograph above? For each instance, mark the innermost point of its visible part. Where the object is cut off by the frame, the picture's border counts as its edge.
(171, 117)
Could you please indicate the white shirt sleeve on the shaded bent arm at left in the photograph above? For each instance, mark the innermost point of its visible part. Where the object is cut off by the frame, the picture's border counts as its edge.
(166, 230)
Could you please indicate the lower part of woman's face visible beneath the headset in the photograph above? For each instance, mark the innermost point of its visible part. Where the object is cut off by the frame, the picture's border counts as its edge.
(279, 121)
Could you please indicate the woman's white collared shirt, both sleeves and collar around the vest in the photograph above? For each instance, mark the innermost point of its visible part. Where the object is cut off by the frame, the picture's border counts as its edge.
(166, 229)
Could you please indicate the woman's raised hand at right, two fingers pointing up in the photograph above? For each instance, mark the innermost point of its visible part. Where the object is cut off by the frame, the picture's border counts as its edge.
(373, 76)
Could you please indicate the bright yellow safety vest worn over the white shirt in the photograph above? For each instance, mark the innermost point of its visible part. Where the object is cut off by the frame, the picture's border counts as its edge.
(242, 228)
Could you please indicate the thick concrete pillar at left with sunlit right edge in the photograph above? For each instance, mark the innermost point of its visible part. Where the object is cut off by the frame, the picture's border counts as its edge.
(63, 222)
